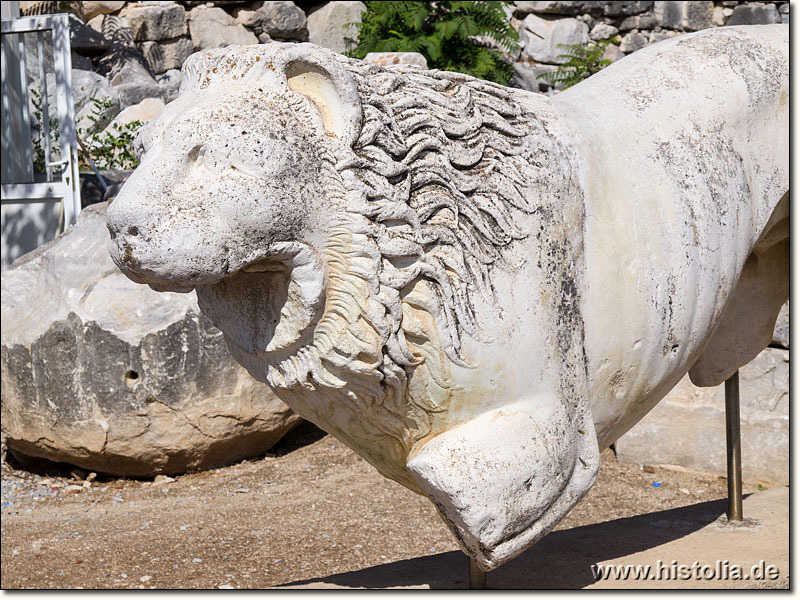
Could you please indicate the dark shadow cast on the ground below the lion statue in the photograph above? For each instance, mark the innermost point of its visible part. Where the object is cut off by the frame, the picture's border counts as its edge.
(562, 560)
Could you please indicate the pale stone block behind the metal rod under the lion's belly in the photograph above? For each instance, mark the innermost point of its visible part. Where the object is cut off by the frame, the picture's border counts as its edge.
(687, 428)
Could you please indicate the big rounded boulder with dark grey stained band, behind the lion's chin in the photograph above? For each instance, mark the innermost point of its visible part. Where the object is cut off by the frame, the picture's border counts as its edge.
(113, 377)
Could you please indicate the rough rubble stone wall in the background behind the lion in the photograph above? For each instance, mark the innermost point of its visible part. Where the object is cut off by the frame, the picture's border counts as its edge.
(141, 45)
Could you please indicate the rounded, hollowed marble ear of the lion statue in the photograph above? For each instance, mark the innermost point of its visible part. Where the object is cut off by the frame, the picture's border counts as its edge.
(324, 81)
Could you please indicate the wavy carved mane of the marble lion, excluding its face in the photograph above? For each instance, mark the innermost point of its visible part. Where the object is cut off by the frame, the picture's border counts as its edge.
(442, 166)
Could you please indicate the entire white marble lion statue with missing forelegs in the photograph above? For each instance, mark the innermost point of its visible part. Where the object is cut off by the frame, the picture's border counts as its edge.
(475, 288)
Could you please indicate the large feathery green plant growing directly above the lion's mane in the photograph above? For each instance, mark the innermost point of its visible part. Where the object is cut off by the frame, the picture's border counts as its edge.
(468, 37)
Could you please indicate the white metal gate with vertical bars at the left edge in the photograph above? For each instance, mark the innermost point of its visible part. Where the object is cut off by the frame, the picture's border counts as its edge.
(60, 181)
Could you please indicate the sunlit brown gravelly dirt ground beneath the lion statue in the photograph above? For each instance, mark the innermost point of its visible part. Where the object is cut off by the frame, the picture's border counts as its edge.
(308, 510)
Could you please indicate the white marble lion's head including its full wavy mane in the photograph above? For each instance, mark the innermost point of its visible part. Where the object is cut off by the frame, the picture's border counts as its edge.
(338, 222)
